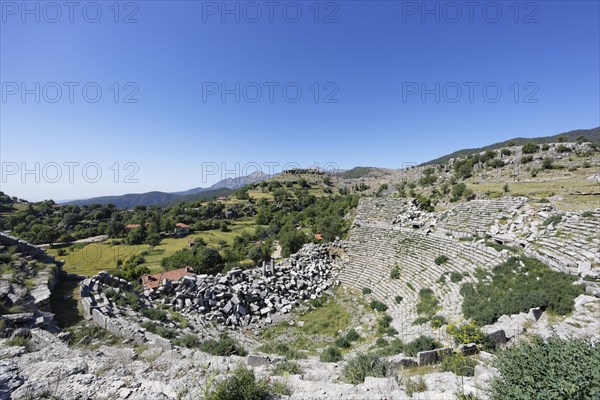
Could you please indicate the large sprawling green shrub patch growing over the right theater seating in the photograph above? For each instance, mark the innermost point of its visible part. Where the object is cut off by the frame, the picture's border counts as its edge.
(514, 288)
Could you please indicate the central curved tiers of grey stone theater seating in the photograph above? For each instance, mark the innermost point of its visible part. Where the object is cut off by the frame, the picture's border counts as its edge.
(376, 245)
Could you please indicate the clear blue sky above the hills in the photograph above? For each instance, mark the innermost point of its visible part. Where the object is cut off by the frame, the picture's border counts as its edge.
(375, 57)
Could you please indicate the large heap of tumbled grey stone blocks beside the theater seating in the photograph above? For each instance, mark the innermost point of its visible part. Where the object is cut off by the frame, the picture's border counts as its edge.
(244, 297)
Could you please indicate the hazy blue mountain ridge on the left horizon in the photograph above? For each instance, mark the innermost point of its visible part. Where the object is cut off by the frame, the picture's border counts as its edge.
(224, 187)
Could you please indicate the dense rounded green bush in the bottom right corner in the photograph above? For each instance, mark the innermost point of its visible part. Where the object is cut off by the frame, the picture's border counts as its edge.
(552, 370)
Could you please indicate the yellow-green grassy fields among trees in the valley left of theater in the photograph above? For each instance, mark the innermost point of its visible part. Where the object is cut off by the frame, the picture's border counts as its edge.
(89, 259)
